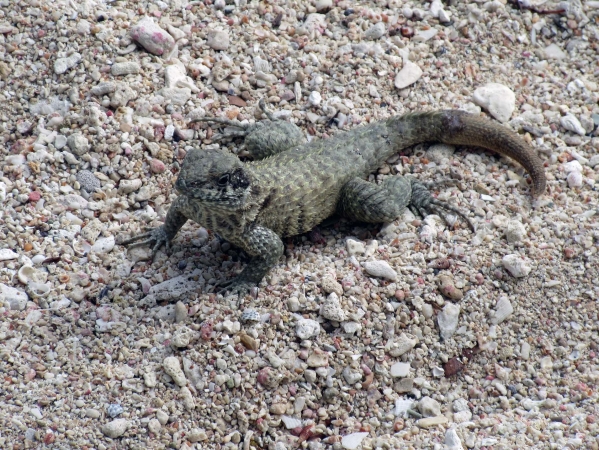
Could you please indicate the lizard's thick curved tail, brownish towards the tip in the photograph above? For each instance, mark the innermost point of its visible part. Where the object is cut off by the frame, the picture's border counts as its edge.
(461, 128)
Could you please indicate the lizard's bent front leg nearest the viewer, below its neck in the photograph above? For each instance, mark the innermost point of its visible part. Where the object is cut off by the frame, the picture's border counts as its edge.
(265, 248)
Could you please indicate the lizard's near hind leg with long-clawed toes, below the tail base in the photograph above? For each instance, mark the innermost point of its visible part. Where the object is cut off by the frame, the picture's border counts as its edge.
(374, 203)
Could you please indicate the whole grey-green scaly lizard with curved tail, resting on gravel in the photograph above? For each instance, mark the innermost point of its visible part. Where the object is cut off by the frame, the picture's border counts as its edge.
(291, 186)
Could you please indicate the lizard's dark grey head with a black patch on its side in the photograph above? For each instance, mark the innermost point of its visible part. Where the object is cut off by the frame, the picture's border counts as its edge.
(213, 176)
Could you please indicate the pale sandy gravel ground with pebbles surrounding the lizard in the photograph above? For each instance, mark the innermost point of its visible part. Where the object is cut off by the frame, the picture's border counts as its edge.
(411, 335)
